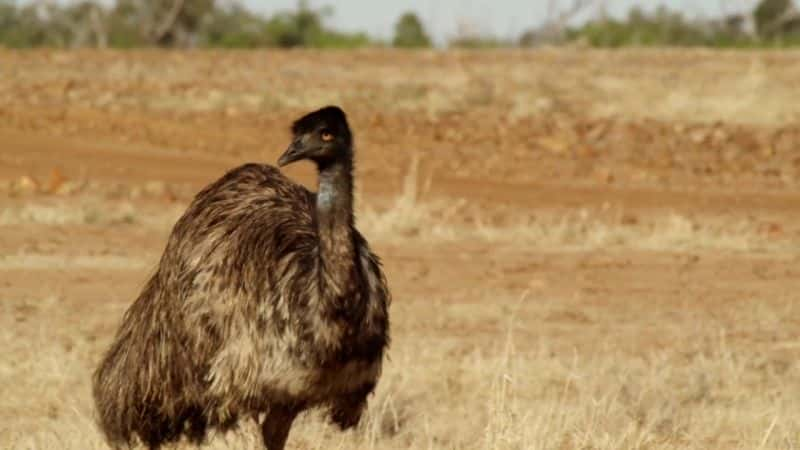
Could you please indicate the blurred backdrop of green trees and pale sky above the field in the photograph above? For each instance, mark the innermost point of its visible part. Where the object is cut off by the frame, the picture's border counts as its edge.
(416, 23)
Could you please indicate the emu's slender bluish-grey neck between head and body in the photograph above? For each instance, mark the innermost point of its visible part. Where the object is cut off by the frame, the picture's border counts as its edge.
(335, 223)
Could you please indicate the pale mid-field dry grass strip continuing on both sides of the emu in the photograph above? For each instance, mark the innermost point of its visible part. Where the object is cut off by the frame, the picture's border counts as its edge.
(410, 217)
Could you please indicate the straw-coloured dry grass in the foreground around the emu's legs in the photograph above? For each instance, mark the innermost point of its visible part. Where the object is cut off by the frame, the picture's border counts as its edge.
(504, 388)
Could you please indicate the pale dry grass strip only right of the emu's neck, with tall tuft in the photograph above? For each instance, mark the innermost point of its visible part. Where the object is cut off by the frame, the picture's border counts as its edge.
(410, 216)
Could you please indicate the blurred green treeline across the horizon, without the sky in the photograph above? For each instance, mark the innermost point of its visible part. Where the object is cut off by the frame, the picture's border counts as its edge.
(227, 23)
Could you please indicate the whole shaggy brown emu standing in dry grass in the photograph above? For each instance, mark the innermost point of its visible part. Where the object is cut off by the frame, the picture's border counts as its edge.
(267, 301)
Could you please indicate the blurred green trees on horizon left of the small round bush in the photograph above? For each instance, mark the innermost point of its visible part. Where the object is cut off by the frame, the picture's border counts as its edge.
(165, 23)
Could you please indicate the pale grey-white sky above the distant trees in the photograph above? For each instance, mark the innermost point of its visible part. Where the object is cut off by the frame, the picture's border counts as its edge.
(503, 18)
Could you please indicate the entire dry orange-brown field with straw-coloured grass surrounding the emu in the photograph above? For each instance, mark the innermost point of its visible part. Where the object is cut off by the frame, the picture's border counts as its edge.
(587, 249)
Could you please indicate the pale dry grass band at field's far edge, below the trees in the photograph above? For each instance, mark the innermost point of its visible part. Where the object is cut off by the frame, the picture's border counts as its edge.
(744, 87)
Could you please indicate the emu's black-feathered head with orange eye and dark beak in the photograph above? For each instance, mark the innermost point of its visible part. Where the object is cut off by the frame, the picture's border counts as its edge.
(322, 136)
